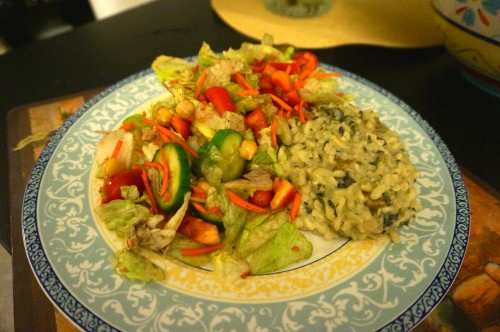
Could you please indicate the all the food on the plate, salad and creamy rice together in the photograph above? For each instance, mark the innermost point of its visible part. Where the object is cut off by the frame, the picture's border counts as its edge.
(244, 153)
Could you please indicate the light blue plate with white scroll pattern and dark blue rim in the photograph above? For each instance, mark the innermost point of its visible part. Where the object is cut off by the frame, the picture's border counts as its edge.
(365, 285)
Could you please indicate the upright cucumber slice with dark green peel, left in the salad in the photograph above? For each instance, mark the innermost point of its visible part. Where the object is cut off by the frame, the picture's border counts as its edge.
(179, 176)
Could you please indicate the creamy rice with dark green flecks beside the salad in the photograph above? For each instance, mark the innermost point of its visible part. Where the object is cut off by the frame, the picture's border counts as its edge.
(353, 173)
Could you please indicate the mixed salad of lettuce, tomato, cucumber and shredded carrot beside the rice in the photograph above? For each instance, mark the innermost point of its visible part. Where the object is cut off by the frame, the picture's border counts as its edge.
(197, 174)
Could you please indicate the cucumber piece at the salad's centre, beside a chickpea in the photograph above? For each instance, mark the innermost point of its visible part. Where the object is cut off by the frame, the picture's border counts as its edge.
(228, 142)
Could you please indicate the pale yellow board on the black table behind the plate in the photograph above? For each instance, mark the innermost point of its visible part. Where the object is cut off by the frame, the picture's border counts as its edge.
(392, 23)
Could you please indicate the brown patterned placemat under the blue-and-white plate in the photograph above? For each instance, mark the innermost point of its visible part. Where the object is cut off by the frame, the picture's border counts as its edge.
(477, 283)
